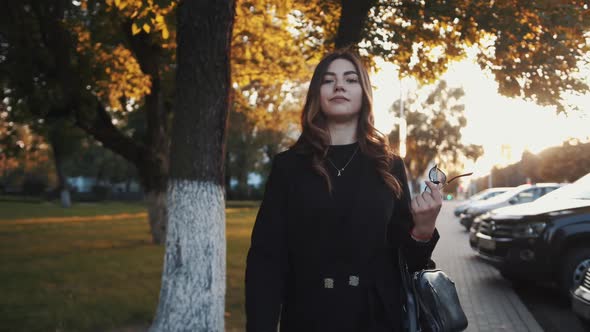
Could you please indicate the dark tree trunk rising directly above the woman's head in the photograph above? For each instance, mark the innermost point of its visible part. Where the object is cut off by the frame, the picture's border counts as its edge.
(352, 20)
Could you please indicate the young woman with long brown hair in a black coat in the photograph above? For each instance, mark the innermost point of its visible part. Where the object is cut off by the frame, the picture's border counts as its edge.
(337, 207)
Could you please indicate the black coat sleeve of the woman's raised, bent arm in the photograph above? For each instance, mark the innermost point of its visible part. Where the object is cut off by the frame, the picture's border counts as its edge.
(417, 253)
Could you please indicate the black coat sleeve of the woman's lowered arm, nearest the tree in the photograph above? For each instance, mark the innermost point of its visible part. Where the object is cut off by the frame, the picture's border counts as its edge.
(267, 261)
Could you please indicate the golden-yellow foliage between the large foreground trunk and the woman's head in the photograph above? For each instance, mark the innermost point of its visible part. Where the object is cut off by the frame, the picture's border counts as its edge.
(270, 47)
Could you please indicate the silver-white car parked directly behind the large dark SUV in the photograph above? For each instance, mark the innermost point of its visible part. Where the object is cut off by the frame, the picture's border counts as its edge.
(522, 194)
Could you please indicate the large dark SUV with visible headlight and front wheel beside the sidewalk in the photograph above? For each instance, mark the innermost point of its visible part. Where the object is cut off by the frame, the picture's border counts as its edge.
(546, 240)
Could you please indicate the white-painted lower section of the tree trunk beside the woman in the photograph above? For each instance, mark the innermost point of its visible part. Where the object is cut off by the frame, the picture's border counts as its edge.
(192, 296)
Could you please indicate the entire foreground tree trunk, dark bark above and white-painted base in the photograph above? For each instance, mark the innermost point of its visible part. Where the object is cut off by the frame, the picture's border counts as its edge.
(192, 297)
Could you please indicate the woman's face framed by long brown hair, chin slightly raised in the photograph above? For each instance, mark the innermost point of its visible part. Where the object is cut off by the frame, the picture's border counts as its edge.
(341, 93)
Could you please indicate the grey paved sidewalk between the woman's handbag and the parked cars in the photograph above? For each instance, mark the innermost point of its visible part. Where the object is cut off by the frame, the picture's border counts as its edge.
(488, 300)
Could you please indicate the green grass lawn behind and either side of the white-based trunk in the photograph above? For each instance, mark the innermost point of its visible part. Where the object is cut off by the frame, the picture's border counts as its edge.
(96, 275)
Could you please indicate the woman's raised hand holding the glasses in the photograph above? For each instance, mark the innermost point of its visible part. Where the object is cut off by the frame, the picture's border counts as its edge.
(425, 209)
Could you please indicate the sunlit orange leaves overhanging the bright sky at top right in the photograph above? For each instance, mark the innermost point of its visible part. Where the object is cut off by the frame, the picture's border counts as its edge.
(533, 48)
